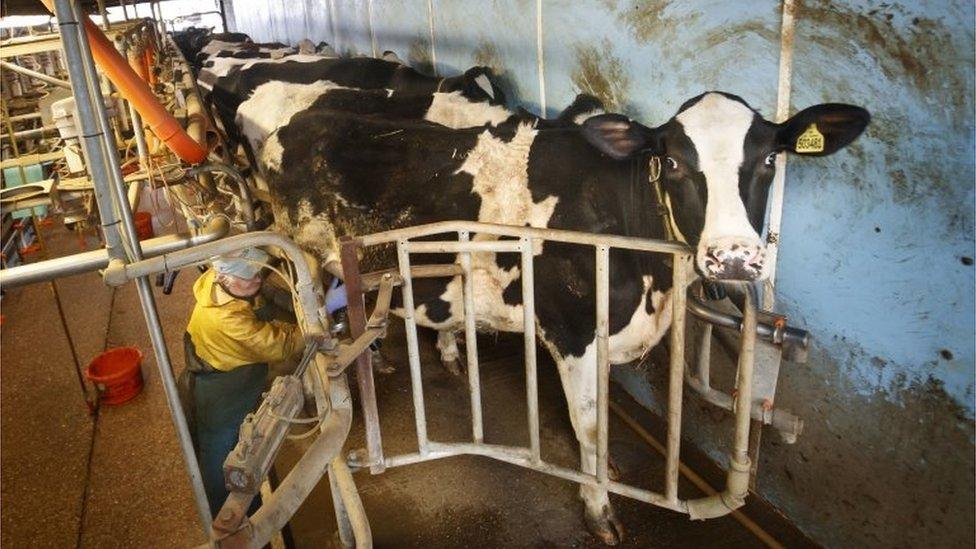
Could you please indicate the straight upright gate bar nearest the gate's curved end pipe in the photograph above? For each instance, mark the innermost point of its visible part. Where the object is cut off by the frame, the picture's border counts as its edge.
(676, 378)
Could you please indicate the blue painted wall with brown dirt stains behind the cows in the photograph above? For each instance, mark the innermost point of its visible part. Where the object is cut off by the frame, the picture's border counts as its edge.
(877, 240)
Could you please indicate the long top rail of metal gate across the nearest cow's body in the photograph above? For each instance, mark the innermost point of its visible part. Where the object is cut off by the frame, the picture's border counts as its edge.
(553, 235)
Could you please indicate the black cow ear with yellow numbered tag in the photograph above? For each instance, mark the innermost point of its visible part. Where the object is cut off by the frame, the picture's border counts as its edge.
(822, 129)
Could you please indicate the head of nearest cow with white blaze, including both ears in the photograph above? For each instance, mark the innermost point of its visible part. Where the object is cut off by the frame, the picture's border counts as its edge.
(717, 163)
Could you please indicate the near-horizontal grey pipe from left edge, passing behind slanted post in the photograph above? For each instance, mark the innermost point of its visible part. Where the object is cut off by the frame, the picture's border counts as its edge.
(86, 262)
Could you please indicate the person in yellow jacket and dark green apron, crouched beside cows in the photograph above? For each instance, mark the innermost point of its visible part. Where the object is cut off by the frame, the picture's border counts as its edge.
(229, 342)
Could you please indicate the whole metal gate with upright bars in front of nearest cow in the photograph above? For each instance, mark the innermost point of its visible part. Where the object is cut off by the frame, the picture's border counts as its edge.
(521, 240)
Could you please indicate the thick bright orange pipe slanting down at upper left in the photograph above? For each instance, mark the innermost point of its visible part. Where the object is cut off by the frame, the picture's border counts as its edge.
(135, 90)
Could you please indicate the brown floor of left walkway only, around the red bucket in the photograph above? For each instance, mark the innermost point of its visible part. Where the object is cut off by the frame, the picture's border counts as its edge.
(68, 479)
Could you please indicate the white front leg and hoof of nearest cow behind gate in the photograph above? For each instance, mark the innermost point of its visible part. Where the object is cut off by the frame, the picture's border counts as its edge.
(578, 375)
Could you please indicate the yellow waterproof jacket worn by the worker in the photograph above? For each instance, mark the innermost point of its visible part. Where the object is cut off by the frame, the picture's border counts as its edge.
(227, 334)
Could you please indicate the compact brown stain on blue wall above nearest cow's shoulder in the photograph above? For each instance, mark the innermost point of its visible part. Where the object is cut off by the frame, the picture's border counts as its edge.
(601, 74)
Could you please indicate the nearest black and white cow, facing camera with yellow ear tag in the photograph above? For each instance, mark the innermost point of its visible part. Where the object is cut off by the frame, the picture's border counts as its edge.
(334, 172)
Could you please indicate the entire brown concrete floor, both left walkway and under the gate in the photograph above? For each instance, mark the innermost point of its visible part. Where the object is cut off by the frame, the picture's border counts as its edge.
(68, 480)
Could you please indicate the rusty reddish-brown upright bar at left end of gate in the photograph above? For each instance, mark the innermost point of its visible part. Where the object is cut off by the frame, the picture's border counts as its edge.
(349, 254)
